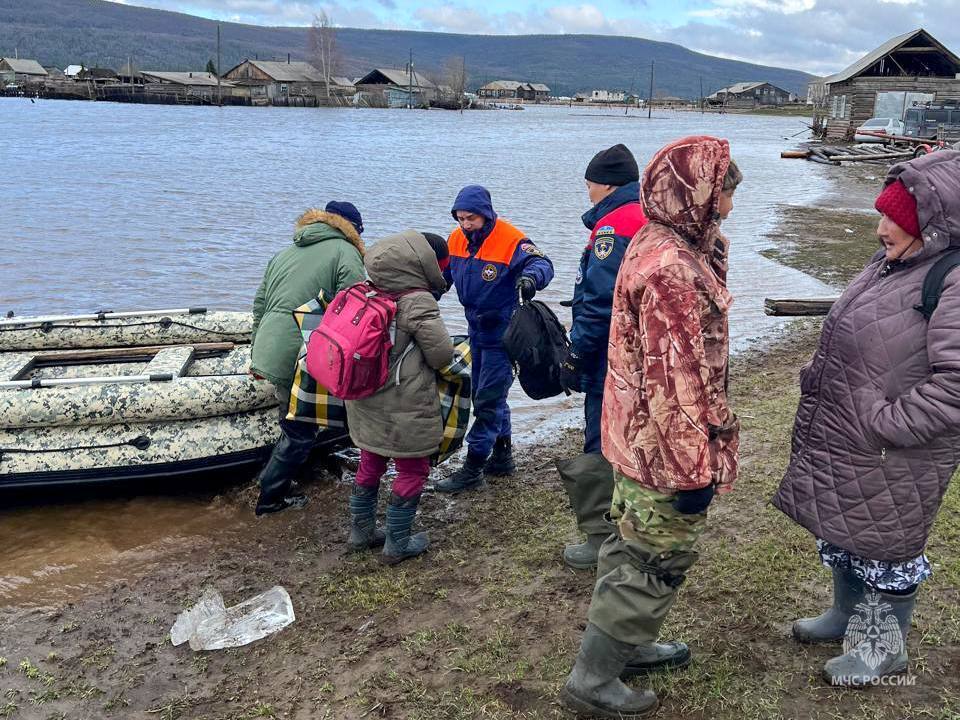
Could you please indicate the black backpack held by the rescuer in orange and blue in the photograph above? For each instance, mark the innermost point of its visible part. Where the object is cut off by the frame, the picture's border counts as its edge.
(536, 343)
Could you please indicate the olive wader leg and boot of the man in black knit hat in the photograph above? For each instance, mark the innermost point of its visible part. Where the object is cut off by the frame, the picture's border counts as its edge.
(588, 480)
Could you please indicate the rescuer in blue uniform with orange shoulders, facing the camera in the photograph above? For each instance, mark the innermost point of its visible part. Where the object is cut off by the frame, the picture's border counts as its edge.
(491, 264)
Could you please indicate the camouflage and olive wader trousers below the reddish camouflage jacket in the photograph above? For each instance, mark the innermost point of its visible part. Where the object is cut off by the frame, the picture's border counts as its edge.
(642, 565)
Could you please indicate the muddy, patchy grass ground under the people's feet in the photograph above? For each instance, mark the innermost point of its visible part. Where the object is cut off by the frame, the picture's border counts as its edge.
(486, 624)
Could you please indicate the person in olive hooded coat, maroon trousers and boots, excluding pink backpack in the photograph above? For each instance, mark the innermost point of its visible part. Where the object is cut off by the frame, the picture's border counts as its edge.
(402, 419)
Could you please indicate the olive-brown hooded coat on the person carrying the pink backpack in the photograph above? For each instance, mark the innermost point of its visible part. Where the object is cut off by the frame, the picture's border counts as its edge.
(403, 418)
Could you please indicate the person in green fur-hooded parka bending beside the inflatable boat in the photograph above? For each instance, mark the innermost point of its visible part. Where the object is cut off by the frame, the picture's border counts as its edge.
(326, 255)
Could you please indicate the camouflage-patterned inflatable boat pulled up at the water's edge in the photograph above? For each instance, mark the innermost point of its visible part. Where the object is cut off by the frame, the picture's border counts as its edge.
(128, 396)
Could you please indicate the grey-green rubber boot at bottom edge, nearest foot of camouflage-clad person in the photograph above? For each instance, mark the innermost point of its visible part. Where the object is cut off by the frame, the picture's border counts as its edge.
(594, 688)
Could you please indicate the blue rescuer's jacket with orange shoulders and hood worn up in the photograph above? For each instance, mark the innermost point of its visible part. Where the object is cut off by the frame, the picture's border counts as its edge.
(486, 266)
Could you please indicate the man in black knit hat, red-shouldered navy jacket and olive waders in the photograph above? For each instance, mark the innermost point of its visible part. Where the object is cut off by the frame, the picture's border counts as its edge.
(612, 179)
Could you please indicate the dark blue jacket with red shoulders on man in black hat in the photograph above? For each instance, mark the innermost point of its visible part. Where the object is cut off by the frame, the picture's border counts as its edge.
(613, 223)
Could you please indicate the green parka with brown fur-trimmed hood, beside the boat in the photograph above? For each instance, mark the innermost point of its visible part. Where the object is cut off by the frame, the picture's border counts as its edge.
(326, 255)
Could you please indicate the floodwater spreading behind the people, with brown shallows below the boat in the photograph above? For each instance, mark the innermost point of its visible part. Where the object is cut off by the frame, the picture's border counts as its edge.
(110, 206)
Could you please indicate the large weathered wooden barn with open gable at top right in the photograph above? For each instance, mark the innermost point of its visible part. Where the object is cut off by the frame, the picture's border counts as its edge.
(910, 68)
